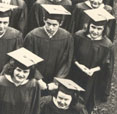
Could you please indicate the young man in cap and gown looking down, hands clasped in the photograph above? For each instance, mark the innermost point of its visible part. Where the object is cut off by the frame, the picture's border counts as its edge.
(53, 43)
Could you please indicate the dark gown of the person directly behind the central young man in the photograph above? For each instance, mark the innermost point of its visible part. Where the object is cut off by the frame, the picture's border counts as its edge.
(36, 14)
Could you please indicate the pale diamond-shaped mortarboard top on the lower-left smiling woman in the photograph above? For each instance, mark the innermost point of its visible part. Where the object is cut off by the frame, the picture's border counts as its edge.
(25, 57)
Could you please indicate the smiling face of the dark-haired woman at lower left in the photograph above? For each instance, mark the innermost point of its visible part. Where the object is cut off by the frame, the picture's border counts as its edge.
(21, 75)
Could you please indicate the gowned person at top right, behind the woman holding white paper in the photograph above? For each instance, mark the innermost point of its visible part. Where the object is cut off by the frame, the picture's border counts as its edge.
(80, 20)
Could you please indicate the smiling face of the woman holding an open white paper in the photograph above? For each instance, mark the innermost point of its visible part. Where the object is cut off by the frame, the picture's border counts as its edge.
(95, 31)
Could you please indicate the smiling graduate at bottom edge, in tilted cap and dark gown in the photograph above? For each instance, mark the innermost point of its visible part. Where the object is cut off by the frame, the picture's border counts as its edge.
(63, 99)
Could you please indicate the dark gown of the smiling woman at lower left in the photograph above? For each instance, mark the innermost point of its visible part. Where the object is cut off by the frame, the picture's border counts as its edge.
(23, 99)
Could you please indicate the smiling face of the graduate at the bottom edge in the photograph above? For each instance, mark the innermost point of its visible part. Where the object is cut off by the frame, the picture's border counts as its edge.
(63, 100)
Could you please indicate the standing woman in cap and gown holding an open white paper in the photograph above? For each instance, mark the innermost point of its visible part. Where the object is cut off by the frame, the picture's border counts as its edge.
(93, 59)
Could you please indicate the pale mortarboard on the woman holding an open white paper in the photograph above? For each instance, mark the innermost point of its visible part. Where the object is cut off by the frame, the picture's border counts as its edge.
(99, 15)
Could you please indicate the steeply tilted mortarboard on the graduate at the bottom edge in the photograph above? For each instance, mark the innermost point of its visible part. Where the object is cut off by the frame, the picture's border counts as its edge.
(68, 84)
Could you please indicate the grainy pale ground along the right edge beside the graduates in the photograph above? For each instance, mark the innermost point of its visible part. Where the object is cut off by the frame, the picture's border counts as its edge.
(111, 106)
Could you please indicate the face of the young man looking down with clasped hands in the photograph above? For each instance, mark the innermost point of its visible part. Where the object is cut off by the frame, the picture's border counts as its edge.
(51, 25)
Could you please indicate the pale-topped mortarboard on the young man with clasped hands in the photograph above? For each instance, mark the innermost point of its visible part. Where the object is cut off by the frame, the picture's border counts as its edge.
(55, 9)
